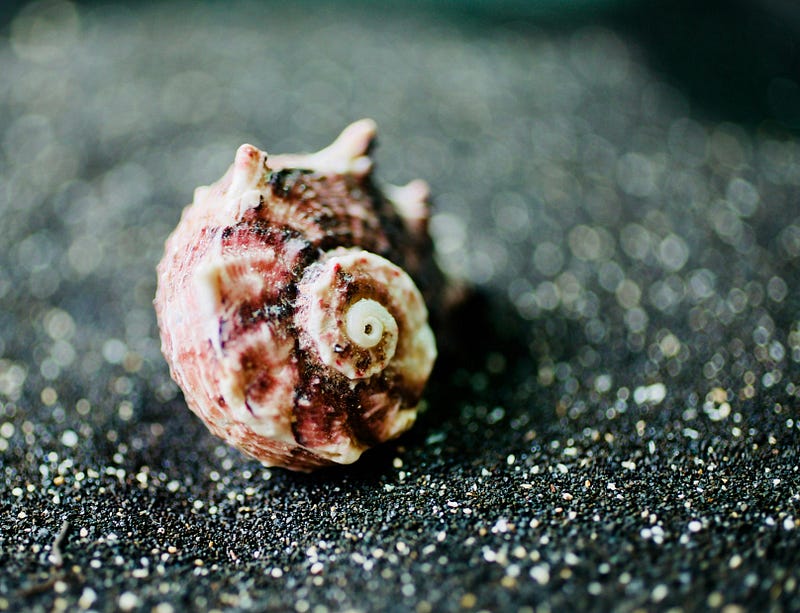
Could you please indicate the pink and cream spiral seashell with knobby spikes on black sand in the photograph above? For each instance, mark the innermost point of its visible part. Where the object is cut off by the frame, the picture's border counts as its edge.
(288, 307)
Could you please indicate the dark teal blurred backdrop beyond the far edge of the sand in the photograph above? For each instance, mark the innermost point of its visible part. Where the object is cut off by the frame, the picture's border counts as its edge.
(737, 60)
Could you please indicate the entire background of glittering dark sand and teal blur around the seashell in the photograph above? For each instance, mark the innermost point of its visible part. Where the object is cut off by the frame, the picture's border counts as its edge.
(618, 179)
